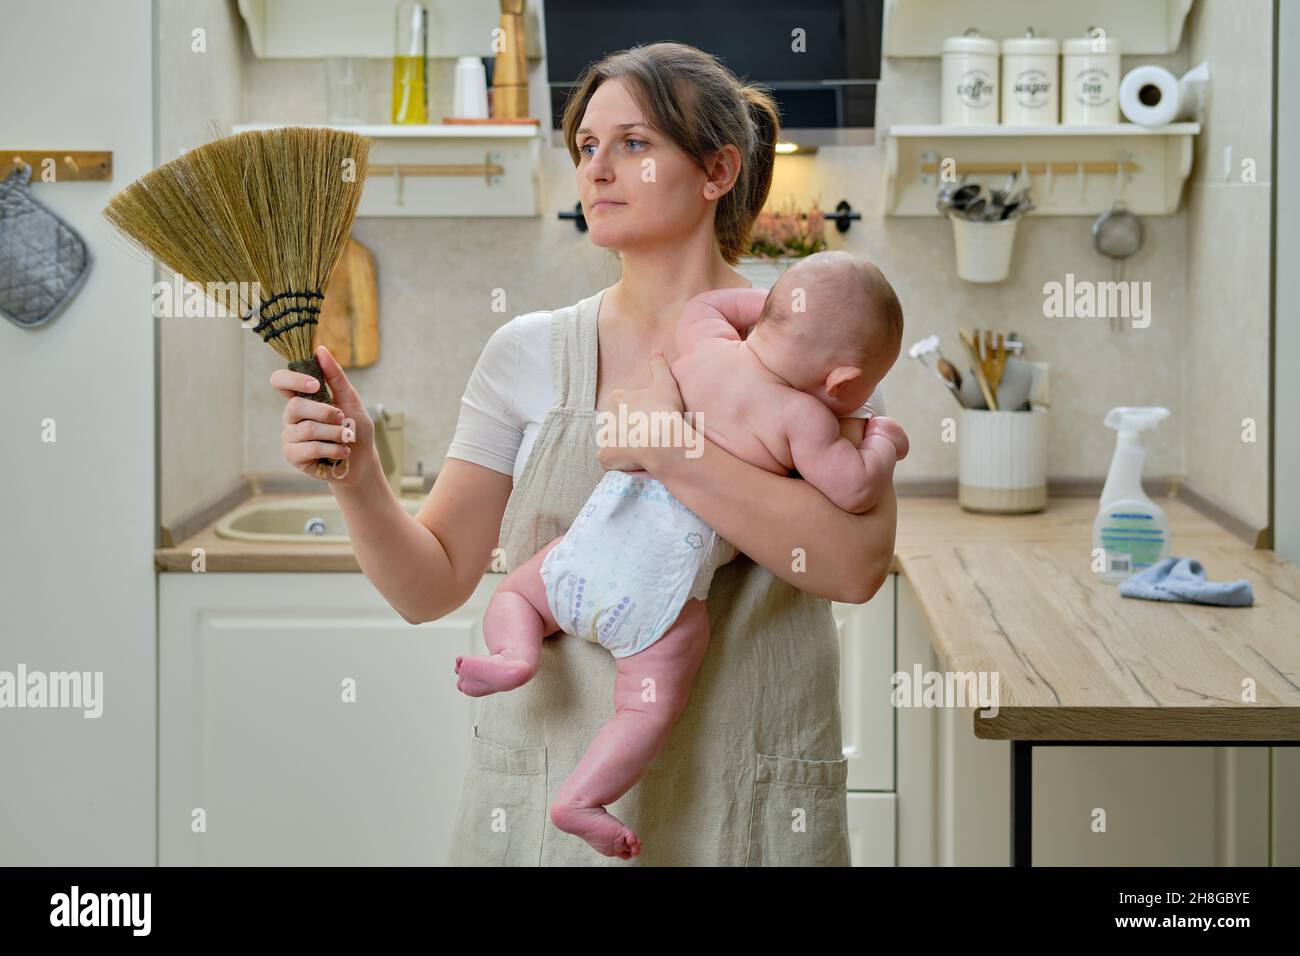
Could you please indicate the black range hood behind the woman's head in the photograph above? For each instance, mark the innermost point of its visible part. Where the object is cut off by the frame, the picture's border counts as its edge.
(820, 58)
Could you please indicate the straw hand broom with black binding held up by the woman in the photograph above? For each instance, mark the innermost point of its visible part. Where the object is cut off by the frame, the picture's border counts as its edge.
(259, 220)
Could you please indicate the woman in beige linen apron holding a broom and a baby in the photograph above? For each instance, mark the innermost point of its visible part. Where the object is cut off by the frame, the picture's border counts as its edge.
(674, 163)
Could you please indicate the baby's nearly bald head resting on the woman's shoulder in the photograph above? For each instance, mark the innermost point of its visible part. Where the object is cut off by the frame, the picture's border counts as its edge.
(831, 327)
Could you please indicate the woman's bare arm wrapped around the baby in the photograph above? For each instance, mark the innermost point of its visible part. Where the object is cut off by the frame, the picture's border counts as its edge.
(772, 518)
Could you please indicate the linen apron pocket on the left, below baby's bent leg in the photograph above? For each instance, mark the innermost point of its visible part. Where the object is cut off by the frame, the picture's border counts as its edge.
(504, 812)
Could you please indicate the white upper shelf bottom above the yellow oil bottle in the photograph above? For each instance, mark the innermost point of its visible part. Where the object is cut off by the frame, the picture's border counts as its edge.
(298, 29)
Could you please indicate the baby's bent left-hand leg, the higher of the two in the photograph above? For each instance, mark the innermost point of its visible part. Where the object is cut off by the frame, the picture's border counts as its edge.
(517, 621)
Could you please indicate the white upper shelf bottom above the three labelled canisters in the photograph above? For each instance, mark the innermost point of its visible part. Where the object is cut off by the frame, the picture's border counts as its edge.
(1145, 28)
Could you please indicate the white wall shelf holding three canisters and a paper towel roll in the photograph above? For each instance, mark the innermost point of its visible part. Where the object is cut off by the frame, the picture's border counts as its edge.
(1155, 165)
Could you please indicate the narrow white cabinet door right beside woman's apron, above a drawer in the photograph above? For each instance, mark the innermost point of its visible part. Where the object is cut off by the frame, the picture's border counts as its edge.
(866, 668)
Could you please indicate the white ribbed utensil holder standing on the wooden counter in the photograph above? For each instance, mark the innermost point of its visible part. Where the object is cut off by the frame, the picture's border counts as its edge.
(1003, 461)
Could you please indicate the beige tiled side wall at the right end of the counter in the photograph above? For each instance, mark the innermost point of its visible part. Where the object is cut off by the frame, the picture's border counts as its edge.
(1227, 348)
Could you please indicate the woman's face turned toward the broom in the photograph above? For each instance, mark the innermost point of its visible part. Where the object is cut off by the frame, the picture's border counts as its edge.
(638, 188)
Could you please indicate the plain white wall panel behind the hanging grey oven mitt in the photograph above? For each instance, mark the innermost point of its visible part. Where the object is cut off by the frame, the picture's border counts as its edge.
(77, 583)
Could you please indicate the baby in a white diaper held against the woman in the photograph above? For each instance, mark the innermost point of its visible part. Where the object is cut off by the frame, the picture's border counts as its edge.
(768, 377)
